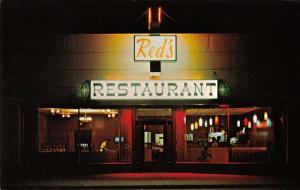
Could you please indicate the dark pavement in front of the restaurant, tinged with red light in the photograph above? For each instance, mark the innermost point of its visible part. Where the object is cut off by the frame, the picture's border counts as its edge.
(161, 180)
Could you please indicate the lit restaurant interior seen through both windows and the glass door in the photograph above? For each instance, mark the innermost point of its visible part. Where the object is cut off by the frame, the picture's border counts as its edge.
(217, 135)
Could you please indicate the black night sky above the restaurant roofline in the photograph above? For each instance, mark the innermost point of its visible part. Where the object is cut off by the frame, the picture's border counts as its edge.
(124, 16)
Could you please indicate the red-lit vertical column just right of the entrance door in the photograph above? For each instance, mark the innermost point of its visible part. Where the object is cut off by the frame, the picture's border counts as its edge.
(180, 126)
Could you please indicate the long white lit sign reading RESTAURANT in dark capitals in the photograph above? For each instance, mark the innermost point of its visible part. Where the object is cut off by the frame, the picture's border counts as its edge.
(154, 90)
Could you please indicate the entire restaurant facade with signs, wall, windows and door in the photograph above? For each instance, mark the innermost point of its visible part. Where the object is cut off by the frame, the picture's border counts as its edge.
(136, 99)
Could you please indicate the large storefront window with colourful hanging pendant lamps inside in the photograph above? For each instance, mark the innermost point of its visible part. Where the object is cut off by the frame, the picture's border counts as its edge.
(228, 135)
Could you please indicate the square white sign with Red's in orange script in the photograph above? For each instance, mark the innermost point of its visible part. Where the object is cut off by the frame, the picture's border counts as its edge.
(155, 48)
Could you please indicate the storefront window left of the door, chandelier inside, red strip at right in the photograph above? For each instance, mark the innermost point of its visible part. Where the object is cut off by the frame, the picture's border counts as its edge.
(98, 135)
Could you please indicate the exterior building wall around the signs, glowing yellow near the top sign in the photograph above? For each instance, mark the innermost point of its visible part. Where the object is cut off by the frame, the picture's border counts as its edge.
(49, 70)
